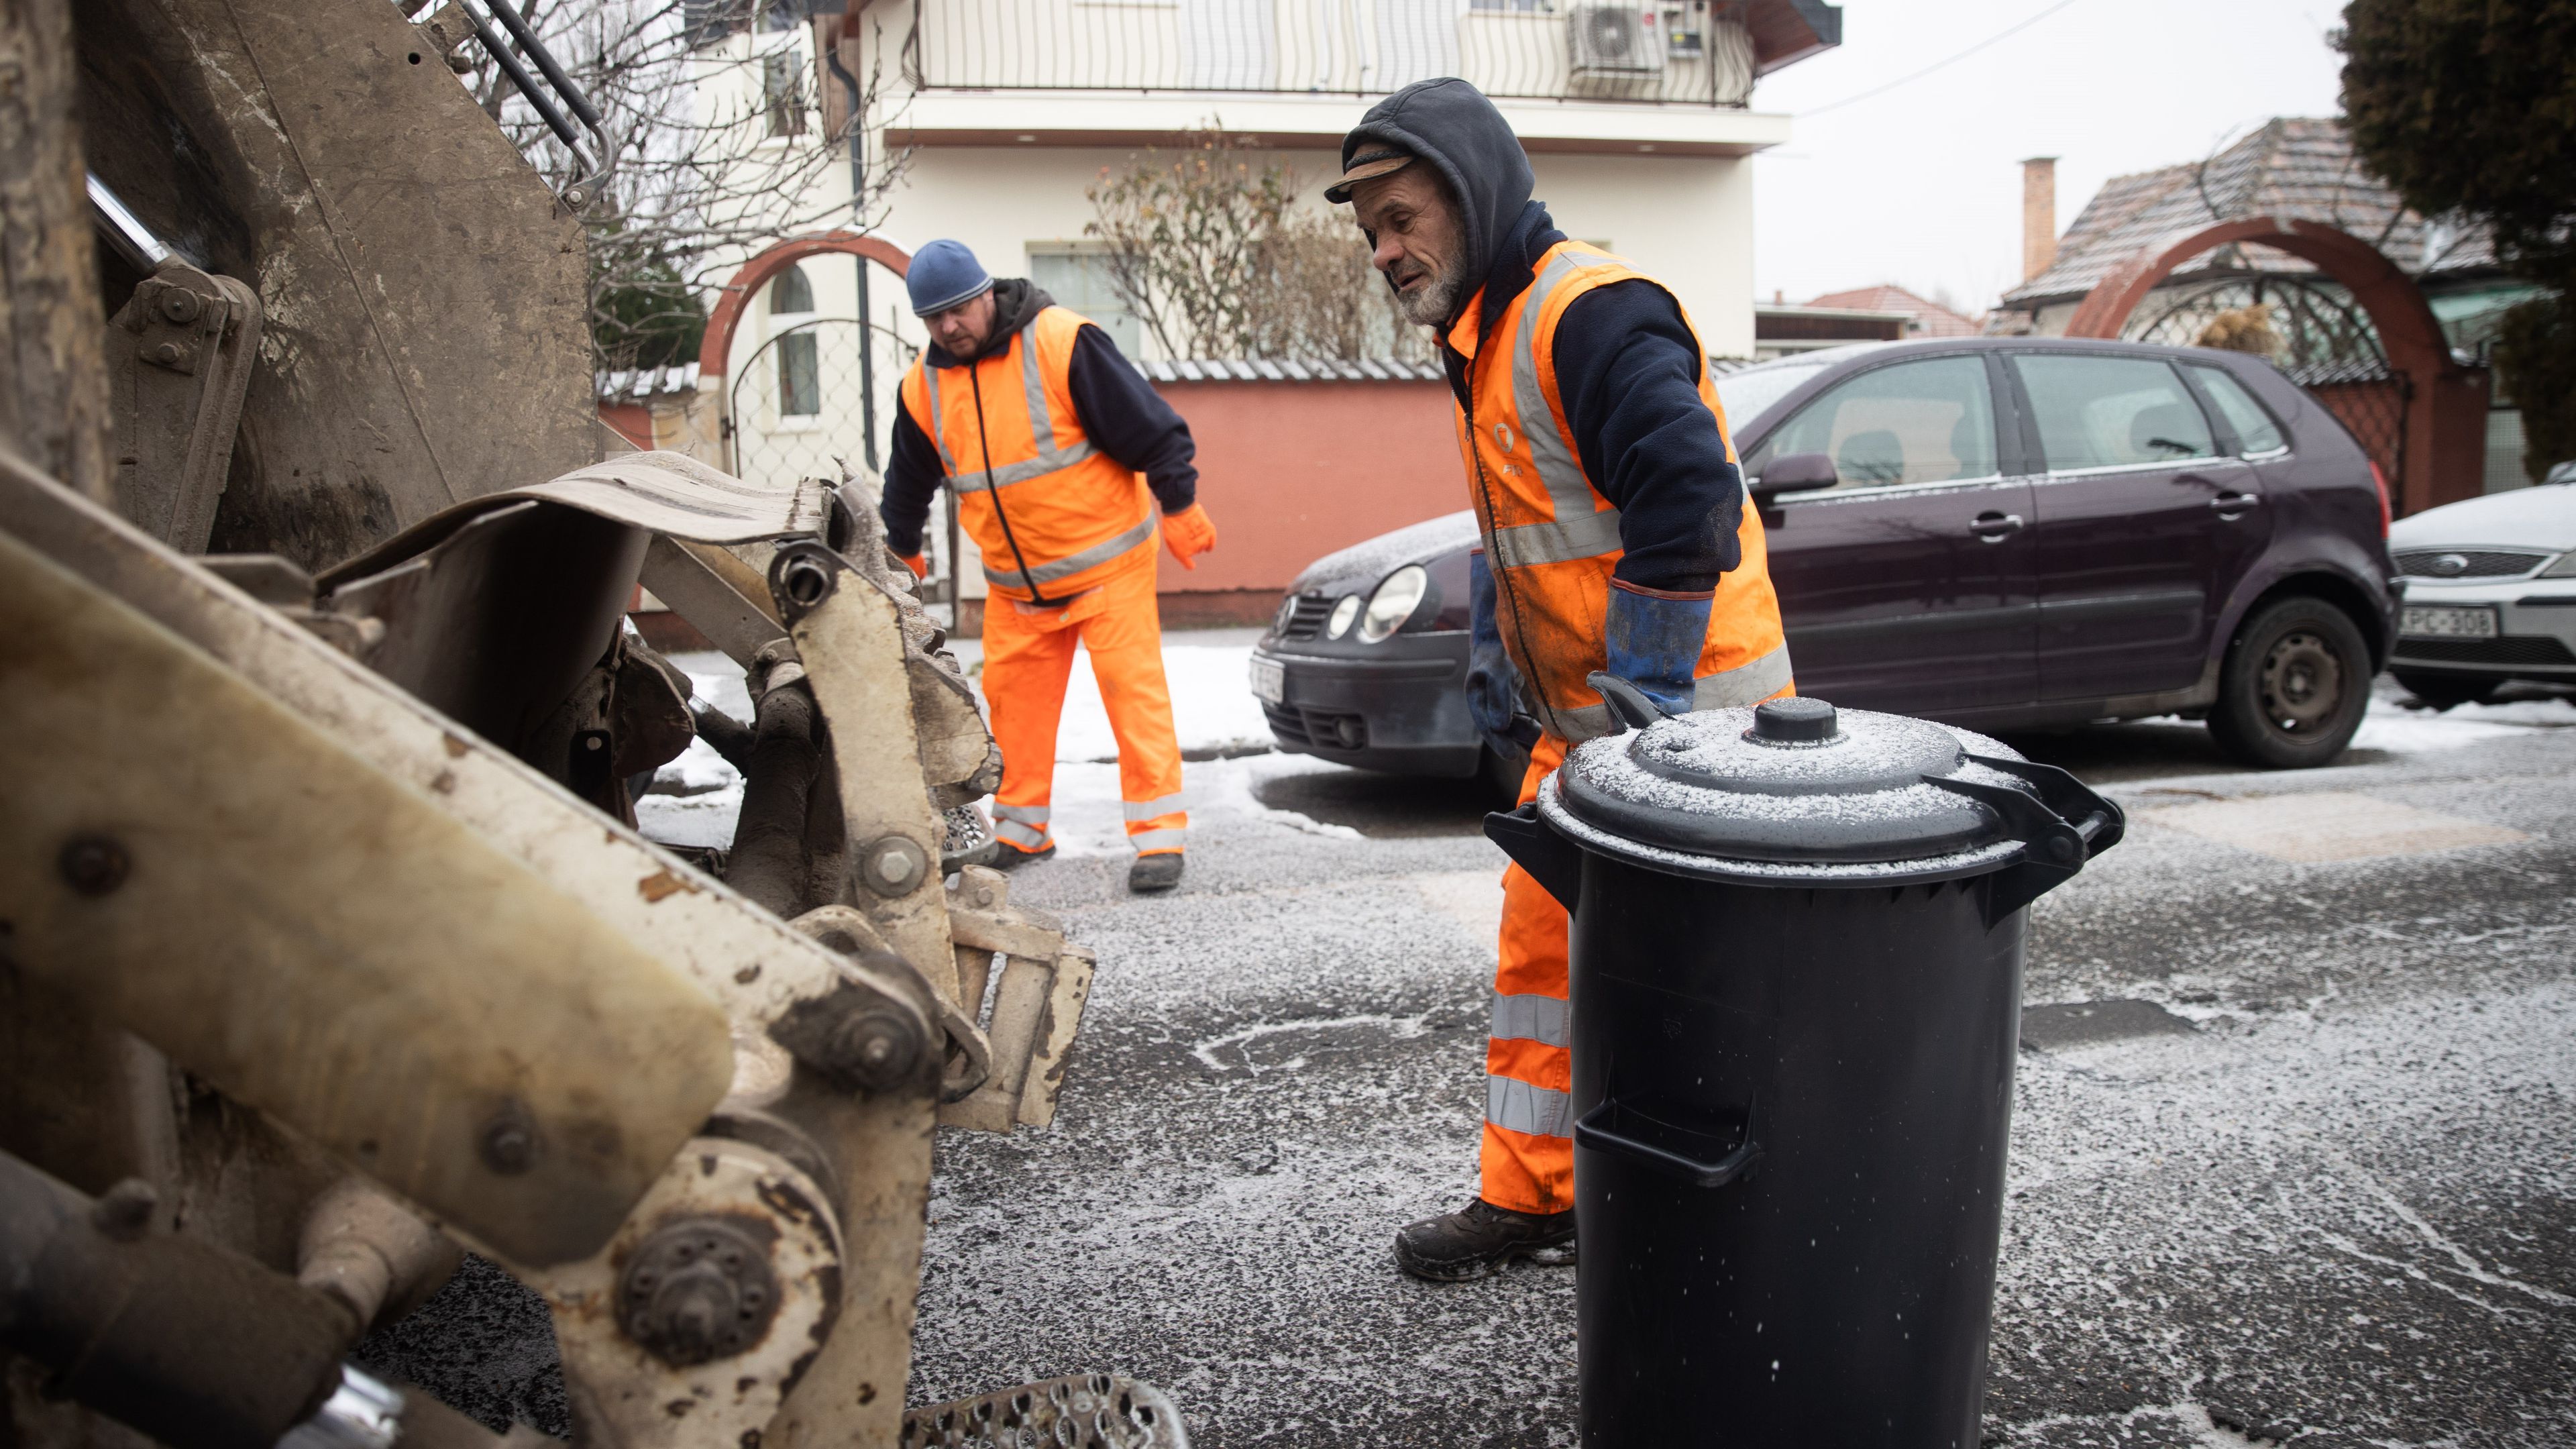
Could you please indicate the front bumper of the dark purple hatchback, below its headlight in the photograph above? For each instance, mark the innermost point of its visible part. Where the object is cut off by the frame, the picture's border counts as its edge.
(1400, 708)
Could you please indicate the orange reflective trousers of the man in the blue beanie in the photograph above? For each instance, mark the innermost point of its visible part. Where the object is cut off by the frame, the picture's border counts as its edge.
(1029, 654)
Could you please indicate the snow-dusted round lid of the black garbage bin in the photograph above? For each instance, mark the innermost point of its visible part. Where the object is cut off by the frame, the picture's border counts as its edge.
(1794, 783)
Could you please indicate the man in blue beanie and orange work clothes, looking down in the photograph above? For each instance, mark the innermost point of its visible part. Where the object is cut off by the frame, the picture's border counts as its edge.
(1060, 458)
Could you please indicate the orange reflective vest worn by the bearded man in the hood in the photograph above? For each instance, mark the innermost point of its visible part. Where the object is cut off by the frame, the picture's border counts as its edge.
(1552, 538)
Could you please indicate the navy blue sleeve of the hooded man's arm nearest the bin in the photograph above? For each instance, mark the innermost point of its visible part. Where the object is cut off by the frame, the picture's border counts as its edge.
(1629, 378)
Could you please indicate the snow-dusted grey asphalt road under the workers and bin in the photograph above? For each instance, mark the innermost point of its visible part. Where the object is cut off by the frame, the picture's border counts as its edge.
(2307, 1177)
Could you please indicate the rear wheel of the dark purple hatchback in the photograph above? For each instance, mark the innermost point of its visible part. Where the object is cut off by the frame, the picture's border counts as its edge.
(2294, 687)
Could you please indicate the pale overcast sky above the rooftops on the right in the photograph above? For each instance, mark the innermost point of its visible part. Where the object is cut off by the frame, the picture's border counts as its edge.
(1923, 184)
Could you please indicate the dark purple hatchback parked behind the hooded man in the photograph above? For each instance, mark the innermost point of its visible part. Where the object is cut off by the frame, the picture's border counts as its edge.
(1998, 532)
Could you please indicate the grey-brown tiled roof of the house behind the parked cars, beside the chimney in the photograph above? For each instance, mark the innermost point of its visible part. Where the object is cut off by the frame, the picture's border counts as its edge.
(2297, 169)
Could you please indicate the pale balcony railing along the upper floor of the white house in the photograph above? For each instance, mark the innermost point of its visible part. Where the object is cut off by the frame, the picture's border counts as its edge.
(1691, 53)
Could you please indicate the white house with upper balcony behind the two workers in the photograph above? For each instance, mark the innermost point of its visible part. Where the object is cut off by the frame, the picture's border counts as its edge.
(1640, 120)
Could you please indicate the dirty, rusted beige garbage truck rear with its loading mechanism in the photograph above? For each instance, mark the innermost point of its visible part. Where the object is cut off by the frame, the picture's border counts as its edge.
(328, 945)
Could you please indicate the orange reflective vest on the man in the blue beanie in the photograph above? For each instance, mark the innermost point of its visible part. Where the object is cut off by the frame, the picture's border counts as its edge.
(1050, 512)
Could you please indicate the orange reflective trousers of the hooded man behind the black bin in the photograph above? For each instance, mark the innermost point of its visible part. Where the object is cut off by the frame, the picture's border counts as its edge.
(1529, 1089)
